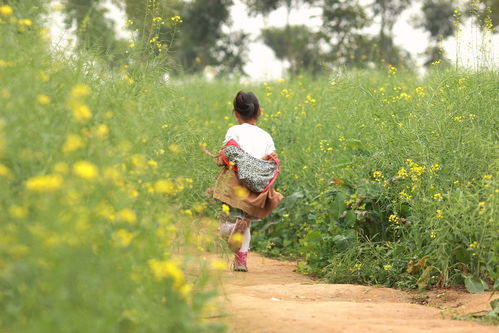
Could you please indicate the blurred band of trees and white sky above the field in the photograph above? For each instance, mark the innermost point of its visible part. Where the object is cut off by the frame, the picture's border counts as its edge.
(265, 39)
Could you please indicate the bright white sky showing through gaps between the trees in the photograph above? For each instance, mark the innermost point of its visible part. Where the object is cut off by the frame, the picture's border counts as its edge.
(263, 65)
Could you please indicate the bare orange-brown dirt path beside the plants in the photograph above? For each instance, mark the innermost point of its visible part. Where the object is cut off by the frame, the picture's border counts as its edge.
(271, 297)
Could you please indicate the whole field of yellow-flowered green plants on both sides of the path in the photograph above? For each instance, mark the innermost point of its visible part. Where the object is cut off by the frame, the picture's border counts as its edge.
(389, 178)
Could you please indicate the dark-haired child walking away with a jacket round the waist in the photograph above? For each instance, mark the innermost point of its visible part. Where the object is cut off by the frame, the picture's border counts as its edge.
(245, 184)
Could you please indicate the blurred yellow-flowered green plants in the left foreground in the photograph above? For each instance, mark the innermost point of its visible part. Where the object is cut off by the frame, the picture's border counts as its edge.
(92, 234)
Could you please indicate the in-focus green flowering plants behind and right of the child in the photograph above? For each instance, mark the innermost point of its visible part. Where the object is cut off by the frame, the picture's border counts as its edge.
(389, 178)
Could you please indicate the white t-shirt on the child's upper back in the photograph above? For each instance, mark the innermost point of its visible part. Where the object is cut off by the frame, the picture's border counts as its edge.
(252, 139)
